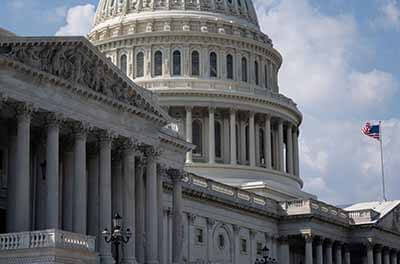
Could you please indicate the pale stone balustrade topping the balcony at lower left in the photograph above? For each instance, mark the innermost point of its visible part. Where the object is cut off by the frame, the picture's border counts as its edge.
(46, 239)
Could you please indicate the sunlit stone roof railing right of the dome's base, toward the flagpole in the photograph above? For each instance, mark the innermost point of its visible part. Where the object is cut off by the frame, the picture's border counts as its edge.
(314, 207)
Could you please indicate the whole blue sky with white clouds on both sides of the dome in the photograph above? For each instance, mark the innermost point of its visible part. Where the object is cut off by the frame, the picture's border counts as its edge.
(341, 65)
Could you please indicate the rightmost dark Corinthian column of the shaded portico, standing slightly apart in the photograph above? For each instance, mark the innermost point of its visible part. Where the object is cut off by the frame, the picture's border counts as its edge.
(177, 223)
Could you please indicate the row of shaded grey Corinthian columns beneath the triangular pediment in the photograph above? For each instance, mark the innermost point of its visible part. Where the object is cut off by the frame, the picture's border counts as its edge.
(74, 205)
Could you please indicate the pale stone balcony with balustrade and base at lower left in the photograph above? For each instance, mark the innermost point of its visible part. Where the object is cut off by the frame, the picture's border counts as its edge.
(47, 246)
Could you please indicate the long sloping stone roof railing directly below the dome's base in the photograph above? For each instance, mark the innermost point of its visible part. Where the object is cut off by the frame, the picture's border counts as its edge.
(231, 194)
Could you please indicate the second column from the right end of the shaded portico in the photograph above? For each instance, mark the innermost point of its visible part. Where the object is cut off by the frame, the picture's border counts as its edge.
(152, 206)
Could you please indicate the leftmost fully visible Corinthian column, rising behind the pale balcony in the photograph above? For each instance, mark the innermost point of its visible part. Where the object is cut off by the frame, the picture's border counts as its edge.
(23, 182)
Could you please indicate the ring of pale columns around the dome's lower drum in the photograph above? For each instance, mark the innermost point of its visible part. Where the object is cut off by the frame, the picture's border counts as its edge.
(280, 139)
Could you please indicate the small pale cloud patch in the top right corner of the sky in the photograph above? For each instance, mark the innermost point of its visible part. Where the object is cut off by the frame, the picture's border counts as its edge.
(389, 17)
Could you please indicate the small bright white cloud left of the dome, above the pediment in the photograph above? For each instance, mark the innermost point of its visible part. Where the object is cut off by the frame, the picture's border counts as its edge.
(79, 21)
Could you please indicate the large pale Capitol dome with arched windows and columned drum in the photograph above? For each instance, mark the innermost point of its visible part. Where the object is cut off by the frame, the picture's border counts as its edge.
(217, 75)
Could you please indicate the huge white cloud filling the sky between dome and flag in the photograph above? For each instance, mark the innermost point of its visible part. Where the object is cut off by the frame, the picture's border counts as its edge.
(338, 163)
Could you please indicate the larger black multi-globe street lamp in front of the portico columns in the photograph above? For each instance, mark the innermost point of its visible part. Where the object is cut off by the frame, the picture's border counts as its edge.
(117, 236)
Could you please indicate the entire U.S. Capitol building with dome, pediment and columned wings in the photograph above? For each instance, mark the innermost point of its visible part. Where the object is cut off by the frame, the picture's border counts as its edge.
(170, 115)
